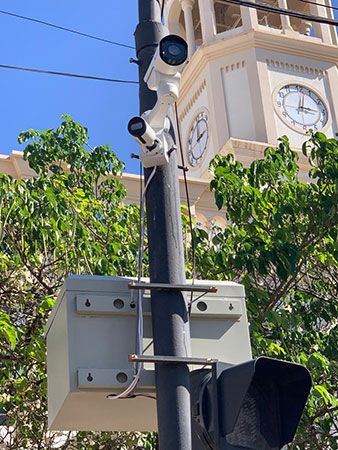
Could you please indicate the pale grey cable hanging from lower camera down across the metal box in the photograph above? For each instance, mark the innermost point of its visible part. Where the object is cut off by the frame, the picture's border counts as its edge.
(139, 333)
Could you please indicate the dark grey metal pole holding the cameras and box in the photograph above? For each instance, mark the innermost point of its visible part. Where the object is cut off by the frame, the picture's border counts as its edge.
(170, 318)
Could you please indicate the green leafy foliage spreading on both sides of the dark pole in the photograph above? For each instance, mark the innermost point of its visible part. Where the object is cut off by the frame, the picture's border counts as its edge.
(281, 242)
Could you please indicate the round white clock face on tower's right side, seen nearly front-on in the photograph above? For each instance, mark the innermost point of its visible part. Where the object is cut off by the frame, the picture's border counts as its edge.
(301, 107)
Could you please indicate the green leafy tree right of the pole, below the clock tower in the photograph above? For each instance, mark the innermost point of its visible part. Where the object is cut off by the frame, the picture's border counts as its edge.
(281, 242)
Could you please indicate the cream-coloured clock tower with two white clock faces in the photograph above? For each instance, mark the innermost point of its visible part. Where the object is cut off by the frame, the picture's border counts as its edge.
(252, 77)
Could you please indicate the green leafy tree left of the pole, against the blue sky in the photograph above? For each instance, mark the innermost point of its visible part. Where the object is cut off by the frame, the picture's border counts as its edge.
(69, 218)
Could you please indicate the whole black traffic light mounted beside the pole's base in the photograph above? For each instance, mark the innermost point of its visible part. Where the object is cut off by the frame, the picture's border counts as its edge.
(255, 405)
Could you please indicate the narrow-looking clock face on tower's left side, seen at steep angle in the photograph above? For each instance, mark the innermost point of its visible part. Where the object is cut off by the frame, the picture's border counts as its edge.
(198, 139)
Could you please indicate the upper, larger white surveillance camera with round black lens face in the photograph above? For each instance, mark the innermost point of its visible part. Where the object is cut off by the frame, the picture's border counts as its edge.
(168, 61)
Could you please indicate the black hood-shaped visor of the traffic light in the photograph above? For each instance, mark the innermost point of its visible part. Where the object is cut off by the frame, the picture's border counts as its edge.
(267, 398)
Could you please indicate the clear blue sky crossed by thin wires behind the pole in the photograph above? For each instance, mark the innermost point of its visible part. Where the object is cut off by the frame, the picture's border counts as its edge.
(30, 100)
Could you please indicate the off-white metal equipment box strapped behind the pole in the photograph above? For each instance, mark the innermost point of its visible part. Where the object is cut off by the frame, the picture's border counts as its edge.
(92, 330)
